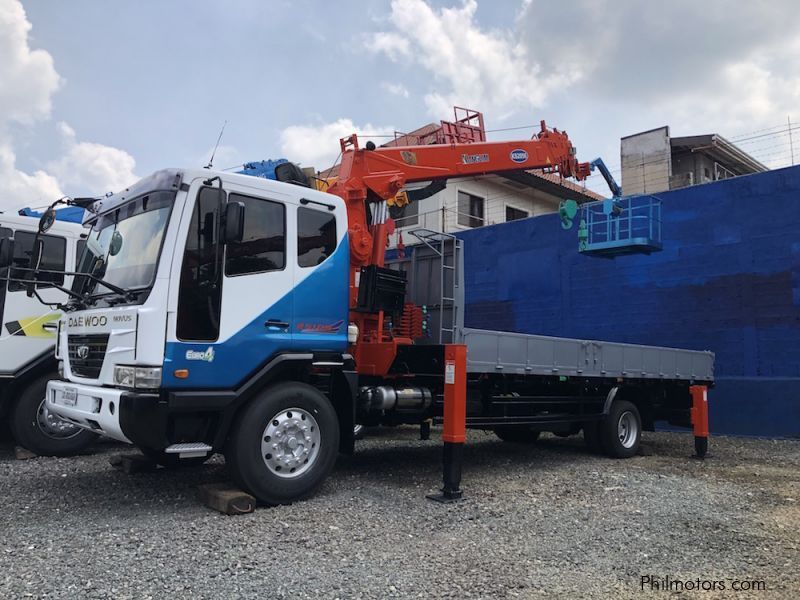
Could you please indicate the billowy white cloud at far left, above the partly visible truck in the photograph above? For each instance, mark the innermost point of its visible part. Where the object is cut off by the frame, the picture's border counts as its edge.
(28, 81)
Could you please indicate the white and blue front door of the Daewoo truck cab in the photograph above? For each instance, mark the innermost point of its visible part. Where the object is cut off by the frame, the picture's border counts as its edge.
(235, 302)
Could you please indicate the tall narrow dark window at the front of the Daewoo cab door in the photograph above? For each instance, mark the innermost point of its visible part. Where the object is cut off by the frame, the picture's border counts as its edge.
(201, 281)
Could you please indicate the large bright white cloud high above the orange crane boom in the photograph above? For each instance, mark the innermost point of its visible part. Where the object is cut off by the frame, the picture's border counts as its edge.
(489, 70)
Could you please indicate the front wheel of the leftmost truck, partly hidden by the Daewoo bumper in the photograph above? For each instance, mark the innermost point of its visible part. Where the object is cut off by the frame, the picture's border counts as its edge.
(34, 428)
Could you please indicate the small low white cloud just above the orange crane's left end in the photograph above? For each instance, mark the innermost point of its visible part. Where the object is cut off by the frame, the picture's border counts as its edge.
(318, 145)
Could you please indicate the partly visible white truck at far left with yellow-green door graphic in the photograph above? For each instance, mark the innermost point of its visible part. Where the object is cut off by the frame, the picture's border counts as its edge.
(27, 342)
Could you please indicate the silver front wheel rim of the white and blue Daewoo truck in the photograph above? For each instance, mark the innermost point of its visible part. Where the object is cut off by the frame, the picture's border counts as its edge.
(290, 443)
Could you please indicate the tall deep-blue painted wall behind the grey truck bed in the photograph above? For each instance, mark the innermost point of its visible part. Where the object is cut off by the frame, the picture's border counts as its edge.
(727, 280)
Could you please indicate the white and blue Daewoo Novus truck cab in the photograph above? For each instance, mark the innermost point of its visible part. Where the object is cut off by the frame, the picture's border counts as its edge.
(254, 277)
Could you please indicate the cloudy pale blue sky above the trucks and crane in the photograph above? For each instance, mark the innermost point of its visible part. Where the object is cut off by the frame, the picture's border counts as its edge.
(95, 94)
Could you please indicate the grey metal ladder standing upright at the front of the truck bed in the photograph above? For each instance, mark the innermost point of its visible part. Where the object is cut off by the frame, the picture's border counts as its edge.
(442, 243)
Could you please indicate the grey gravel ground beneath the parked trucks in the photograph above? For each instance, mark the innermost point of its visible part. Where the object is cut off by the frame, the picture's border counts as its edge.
(548, 520)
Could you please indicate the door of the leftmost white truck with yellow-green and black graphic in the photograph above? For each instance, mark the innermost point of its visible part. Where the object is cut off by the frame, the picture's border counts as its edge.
(28, 326)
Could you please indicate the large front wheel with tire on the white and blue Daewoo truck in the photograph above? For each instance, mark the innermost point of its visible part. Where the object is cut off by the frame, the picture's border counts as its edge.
(284, 443)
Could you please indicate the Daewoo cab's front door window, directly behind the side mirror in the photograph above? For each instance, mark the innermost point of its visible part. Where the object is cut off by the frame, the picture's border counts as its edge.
(263, 247)
